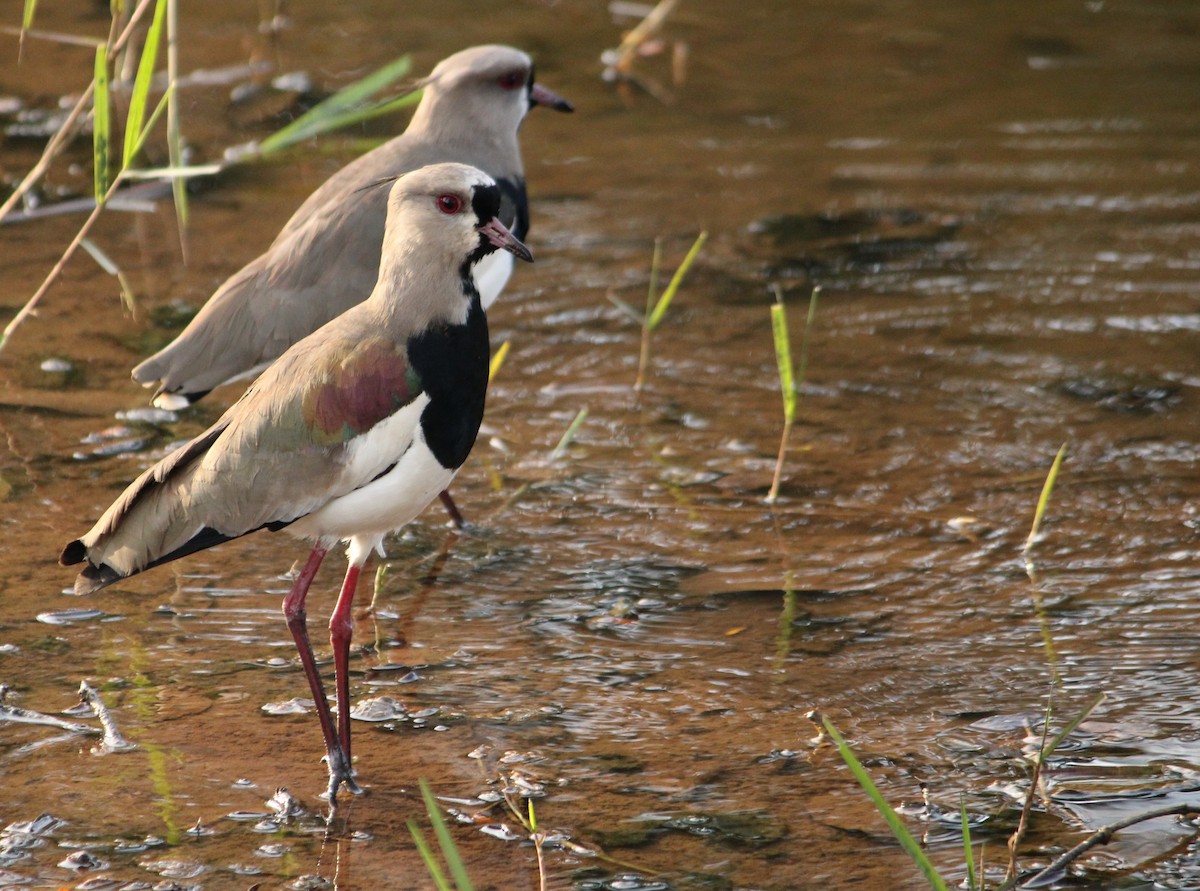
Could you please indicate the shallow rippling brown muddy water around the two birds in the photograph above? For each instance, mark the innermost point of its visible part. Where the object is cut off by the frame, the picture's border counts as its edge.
(1000, 206)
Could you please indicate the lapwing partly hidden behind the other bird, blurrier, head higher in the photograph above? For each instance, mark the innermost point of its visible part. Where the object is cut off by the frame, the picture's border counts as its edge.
(327, 258)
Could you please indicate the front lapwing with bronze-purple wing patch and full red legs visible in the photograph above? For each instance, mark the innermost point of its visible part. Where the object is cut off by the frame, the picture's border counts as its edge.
(347, 436)
